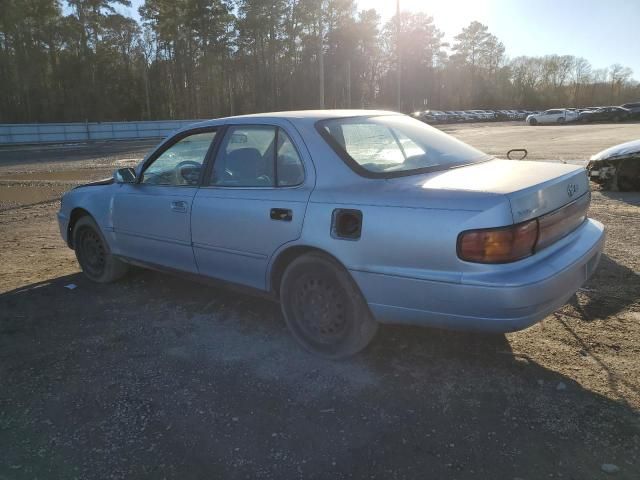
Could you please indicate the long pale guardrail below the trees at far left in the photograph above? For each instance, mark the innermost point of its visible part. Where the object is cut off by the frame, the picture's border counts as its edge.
(89, 131)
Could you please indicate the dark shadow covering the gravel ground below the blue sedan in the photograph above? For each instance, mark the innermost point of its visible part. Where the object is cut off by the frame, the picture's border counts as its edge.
(178, 379)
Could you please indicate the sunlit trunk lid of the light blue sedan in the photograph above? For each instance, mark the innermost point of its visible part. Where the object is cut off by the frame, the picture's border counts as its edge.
(533, 188)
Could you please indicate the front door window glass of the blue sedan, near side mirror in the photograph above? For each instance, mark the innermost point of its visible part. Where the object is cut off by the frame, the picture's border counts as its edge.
(181, 163)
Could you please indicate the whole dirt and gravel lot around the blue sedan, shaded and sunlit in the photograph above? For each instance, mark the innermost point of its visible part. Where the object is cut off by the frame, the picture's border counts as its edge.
(158, 377)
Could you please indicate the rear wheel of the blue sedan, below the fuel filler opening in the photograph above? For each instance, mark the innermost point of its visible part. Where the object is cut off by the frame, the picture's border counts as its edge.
(324, 308)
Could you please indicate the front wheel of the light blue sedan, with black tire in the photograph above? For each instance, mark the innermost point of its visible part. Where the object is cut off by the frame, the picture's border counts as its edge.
(93, 254)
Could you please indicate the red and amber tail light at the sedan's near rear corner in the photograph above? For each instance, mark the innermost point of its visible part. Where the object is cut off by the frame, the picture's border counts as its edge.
(498, 245)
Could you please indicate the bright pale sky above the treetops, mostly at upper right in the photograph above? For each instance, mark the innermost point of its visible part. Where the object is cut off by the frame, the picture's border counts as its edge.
(602, 31)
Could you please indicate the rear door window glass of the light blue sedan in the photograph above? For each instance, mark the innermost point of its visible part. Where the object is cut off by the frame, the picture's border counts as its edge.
(257, 156)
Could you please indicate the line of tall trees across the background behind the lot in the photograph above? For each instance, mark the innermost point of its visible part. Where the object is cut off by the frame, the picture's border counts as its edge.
(82, 60)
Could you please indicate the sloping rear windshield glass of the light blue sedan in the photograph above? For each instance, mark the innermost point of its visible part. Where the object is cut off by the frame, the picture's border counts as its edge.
(395, 145)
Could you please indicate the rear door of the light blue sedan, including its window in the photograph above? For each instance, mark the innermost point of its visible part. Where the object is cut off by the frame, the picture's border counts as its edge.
(253, 201)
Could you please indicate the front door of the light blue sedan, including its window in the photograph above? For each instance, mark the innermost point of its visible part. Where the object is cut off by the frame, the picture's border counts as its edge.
(151, 218)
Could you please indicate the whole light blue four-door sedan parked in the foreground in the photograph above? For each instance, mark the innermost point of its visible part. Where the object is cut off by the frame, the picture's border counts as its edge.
(349, 218)
